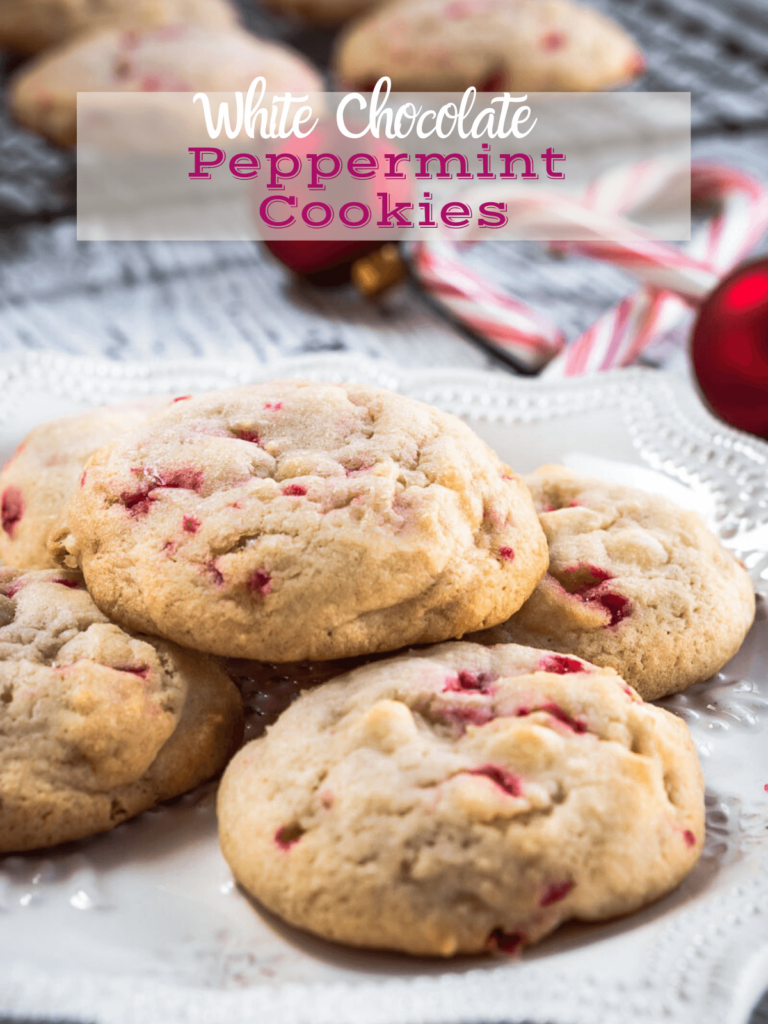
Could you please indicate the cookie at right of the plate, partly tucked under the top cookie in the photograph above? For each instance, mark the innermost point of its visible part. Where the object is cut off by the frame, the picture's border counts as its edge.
(635, 583)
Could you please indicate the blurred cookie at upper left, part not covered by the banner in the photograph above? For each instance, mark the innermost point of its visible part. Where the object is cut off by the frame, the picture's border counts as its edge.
(176, 59)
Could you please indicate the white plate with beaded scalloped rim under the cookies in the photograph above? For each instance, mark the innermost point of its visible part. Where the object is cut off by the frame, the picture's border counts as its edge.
(144, 925)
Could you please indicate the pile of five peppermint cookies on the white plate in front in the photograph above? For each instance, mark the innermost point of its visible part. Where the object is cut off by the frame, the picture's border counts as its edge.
(459, 797)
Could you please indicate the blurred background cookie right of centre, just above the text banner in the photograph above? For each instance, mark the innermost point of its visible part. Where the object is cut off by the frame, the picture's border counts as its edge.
(496, 46)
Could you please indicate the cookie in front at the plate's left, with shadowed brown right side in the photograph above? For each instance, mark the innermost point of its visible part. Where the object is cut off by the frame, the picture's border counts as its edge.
(98, 724)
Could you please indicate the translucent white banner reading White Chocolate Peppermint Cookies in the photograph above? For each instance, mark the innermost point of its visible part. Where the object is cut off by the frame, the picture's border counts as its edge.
(354, 167)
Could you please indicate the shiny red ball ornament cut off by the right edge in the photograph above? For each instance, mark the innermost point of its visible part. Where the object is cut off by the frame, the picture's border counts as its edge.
(730, 349)
